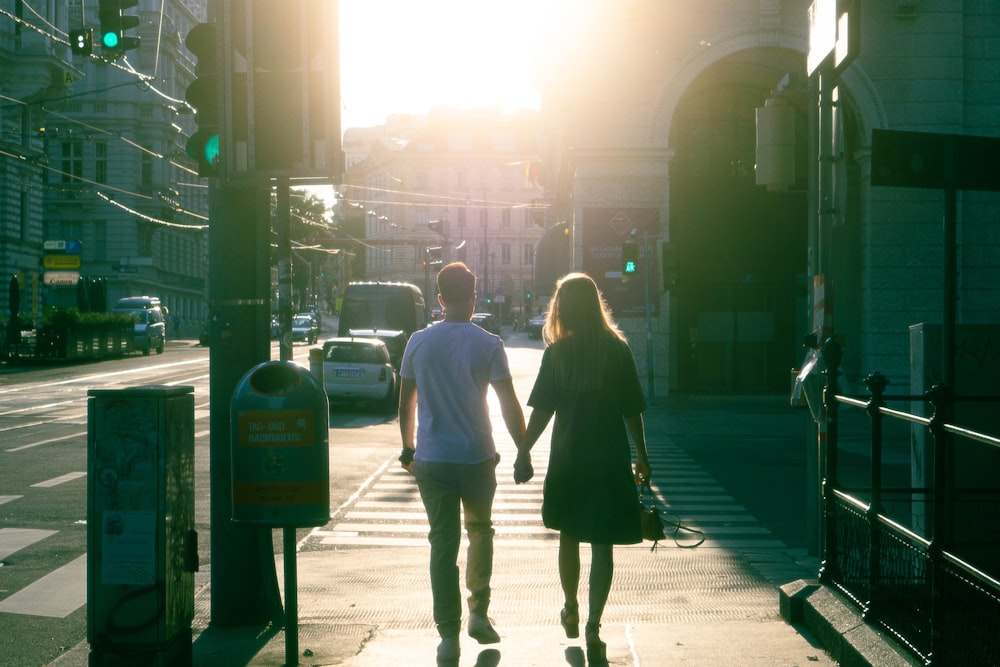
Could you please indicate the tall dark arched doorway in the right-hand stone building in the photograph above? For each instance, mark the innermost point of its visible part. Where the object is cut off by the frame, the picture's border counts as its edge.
(740, 294)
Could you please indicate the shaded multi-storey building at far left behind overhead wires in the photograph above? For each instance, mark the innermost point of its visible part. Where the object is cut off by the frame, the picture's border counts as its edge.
(105, 159)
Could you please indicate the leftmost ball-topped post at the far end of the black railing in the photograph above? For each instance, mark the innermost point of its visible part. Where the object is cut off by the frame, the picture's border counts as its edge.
(832, 356)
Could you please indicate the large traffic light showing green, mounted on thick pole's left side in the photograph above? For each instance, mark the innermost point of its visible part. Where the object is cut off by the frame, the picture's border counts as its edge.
(203, 95)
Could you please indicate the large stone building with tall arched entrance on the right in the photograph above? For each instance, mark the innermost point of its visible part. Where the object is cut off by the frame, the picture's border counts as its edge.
(651, 114)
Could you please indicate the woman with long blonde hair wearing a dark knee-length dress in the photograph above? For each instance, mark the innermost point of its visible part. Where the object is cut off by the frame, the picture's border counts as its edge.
(589, 382)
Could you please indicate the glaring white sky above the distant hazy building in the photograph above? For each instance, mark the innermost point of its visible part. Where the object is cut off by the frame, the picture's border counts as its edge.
(410, 56)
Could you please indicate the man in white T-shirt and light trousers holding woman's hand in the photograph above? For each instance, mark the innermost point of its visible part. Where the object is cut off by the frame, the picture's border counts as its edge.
(448, 446)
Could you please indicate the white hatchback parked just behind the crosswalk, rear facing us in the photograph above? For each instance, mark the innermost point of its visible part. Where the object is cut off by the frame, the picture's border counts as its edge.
(359, 369)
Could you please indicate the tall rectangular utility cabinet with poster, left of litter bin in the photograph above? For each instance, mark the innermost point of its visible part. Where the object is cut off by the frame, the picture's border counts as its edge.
(141, 541)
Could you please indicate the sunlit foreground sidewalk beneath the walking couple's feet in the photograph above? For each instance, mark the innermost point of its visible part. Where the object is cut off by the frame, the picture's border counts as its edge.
(370, 606)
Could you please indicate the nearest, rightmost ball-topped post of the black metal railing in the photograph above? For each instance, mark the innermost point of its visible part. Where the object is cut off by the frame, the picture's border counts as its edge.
(940, 396)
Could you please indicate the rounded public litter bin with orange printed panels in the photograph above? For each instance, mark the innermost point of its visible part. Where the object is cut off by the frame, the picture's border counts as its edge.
(280, 449)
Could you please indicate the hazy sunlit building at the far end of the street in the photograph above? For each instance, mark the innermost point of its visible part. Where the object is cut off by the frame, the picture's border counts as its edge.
(472, 176)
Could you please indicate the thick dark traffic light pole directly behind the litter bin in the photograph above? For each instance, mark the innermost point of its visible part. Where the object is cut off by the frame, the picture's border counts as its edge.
(244, 583)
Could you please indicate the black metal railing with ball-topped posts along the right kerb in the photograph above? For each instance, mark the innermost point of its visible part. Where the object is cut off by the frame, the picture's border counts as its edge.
(929, 579)
